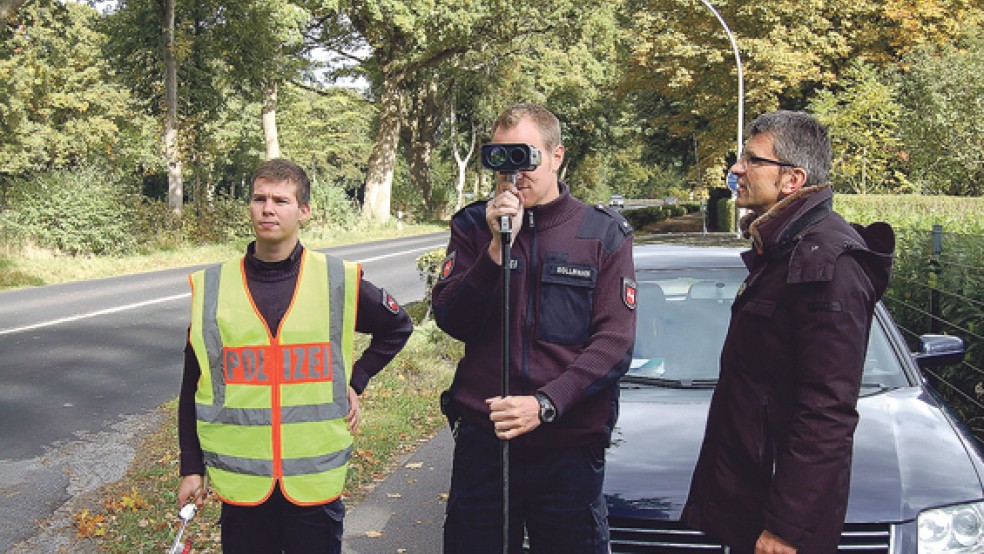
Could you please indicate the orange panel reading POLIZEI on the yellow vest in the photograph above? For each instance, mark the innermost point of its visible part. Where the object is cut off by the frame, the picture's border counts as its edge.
(299, 363)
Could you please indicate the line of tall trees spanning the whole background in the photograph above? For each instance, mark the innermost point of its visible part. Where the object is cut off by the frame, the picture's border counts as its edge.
(169, 92)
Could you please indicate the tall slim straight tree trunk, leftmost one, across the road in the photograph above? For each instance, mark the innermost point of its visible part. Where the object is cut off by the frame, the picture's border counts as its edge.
(175, 192)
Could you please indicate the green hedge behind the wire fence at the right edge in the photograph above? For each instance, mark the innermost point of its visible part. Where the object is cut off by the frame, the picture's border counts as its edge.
(953, 274)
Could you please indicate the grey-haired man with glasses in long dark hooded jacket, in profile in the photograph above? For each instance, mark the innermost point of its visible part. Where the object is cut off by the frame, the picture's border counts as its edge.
(774, 468)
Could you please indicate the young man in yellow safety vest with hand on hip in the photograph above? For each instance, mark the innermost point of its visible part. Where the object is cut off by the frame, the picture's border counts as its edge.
(269, 398)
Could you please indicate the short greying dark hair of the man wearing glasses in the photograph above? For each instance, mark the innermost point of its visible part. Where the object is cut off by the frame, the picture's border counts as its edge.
(799, 139)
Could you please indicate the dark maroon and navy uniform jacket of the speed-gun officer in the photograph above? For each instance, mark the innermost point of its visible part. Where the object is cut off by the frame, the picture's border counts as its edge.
(572, 316)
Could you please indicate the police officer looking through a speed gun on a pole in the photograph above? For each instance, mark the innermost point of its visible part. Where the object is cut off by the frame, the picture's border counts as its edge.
(547, 336)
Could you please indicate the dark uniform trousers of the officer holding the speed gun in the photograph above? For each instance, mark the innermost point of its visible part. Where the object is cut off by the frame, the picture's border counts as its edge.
(555, 496)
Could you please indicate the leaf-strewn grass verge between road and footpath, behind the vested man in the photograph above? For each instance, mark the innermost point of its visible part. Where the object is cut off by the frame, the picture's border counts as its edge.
(400, 409)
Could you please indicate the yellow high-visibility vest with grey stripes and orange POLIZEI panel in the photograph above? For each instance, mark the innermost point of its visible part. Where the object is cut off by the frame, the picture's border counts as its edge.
(272, 408)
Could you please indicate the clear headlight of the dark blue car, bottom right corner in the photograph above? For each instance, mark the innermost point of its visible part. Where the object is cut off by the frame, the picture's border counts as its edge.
(953, 529)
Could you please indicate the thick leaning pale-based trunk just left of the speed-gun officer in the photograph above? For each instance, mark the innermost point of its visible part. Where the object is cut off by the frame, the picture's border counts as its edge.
(382, 161)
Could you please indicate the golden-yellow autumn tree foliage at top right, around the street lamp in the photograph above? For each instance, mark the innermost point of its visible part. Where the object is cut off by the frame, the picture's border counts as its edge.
(788, 50)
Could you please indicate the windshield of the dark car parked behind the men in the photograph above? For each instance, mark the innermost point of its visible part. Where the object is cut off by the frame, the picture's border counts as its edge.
(682, 320)
